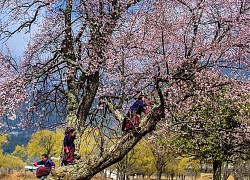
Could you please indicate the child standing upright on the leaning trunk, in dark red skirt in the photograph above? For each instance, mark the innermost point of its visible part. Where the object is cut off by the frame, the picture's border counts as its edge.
(69, 146)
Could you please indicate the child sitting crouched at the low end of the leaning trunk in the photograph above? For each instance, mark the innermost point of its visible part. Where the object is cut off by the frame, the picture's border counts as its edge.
(45, 170)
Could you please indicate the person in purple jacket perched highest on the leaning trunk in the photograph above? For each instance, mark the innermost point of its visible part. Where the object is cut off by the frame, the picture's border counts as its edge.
(132, 119)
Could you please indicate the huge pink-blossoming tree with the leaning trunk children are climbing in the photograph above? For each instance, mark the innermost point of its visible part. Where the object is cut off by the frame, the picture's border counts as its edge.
(90, 58)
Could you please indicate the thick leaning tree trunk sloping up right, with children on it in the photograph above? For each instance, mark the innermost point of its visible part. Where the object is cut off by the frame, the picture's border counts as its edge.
(86, 170)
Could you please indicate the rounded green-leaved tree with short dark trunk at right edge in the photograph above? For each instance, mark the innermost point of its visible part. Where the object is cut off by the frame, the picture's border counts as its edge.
(221, 135)
